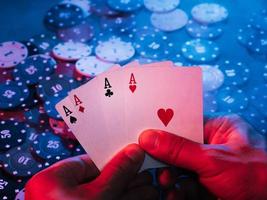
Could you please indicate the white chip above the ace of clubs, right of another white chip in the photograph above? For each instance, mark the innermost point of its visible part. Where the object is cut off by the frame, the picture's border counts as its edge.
(115, 50)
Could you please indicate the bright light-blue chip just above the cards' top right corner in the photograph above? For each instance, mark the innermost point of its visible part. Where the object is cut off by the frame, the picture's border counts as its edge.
(200, 50)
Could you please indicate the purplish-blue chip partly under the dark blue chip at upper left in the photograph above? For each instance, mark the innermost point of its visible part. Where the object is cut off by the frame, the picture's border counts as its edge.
(80, 33)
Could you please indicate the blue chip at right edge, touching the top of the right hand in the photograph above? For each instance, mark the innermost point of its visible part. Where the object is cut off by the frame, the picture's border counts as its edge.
(255, 119)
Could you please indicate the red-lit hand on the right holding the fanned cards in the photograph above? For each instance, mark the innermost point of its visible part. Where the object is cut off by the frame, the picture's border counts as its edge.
(230, 165)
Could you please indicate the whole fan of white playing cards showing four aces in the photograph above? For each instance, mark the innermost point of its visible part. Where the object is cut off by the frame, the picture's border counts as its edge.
(115, 107)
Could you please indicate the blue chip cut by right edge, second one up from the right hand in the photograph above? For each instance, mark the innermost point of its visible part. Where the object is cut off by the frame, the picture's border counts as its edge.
(258, 97)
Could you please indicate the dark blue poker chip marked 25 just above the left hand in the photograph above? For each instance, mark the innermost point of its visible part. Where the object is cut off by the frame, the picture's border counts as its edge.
(48, 145)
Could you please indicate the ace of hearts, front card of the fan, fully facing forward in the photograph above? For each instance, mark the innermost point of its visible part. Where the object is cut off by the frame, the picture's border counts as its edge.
(169, 99)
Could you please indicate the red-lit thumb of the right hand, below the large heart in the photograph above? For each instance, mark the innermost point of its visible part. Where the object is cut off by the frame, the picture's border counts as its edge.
(174, 149)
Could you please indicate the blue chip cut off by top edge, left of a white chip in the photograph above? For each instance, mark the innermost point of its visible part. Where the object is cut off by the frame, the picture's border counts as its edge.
(125, 6)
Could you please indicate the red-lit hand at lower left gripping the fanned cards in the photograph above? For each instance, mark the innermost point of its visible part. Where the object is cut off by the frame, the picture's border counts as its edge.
(78, 178)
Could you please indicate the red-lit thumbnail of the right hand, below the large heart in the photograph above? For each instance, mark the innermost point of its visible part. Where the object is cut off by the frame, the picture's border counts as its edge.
(148, 139)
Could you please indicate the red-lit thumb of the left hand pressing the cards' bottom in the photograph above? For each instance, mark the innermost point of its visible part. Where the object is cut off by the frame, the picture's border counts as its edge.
(118, 173)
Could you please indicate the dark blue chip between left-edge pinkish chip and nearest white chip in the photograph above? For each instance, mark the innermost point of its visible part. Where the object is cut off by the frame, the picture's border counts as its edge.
(43, 43)
